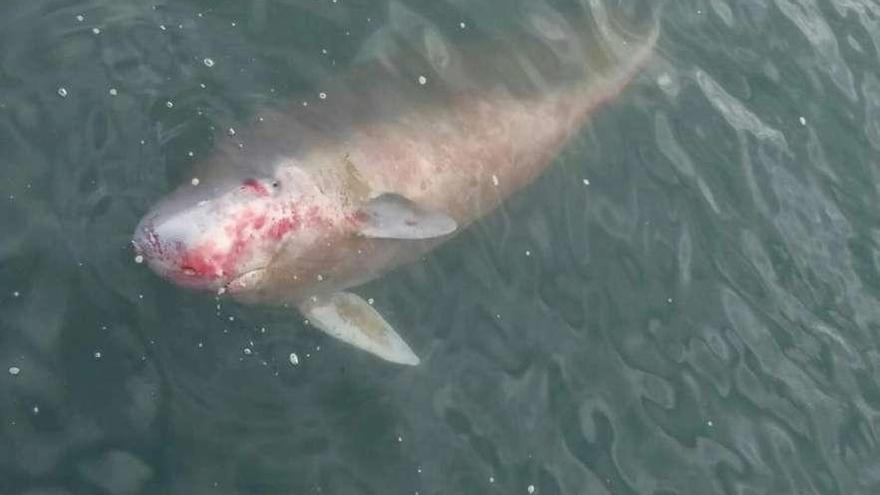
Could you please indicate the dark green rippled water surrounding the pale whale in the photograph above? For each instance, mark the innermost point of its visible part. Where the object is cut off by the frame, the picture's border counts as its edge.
(687, 302)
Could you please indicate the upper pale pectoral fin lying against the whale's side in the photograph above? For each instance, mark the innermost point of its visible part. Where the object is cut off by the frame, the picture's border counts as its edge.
(392, 216)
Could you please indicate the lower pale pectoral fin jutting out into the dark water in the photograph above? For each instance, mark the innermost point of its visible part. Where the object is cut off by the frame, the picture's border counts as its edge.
(350, 319)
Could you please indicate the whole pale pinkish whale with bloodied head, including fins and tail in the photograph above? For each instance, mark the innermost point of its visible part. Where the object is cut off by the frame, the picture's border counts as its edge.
(310, 201)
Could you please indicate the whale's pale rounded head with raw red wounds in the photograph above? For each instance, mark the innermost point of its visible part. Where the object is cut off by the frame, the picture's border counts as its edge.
(210, 237)
